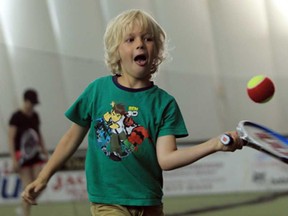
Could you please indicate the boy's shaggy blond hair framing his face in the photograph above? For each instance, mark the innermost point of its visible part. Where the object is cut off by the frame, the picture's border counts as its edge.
(118, 26)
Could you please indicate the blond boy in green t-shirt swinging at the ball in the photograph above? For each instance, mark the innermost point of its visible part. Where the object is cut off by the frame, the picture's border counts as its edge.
(133, 126)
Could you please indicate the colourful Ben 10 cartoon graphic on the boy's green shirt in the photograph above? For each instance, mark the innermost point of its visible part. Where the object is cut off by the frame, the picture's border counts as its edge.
(118, 135)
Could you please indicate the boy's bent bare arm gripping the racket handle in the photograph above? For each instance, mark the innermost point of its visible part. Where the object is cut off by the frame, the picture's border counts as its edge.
(169, 157)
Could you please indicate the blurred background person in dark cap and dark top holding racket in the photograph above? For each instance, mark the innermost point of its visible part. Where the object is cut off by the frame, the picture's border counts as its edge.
(26, 143)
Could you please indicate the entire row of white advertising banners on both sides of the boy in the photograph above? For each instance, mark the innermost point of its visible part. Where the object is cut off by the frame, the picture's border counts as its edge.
(246, 170)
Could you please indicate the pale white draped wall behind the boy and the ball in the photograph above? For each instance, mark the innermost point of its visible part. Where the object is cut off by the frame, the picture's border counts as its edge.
(216, 46)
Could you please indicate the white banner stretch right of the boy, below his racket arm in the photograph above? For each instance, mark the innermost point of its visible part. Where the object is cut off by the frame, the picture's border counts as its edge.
(246, 170)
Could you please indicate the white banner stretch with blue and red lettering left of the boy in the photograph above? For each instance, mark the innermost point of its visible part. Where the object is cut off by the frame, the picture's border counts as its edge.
(63, 186)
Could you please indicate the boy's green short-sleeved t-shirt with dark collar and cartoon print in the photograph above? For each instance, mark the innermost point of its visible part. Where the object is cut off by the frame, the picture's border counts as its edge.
(121, 163)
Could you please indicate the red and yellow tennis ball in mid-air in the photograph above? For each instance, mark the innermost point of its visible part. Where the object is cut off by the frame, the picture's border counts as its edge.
(260, 89)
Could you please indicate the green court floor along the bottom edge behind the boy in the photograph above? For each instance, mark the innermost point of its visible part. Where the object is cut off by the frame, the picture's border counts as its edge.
(250, 204)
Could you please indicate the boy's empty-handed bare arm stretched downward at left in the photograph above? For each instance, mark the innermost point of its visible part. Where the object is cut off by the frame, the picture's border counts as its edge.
(65, 149)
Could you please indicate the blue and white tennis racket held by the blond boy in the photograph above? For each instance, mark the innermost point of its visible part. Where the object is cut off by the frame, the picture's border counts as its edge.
(260, 138)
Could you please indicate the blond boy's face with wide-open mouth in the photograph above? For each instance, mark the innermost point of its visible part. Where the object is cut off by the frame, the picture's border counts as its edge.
(137, 52)
